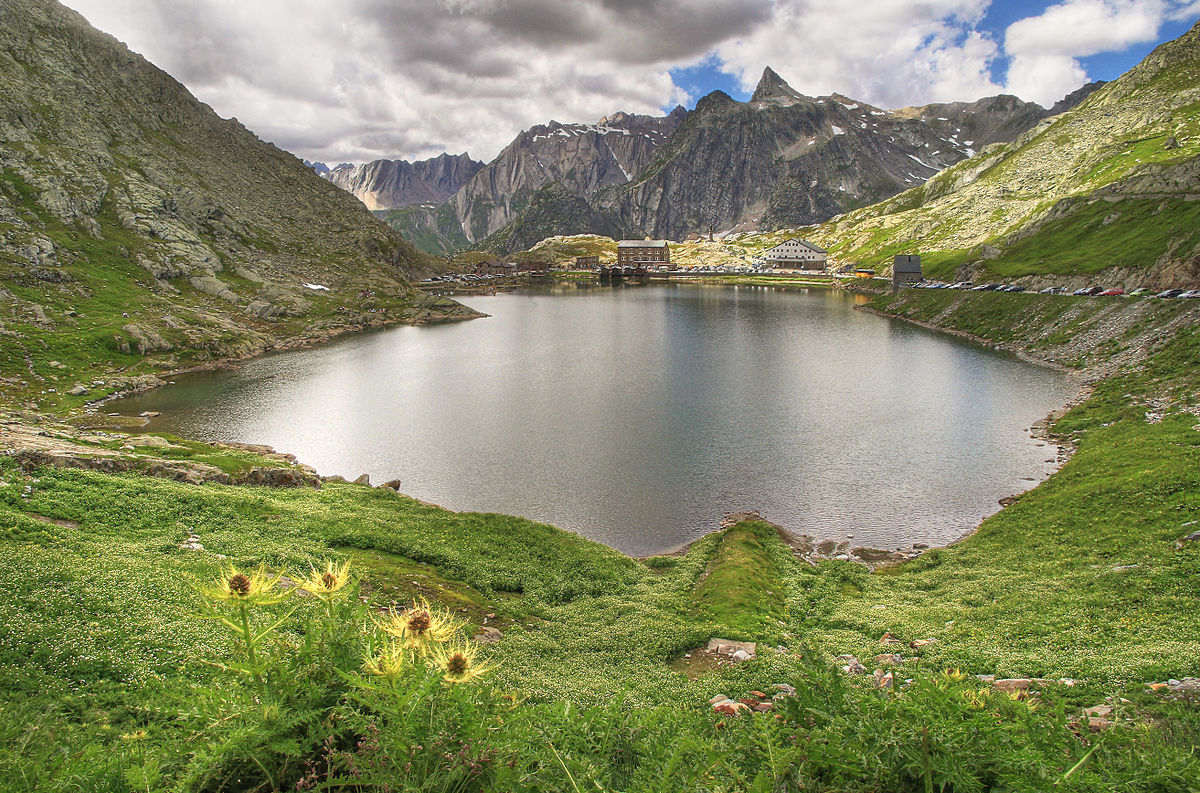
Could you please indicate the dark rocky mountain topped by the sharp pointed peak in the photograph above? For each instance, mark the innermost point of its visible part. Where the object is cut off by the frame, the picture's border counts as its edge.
(784, 159)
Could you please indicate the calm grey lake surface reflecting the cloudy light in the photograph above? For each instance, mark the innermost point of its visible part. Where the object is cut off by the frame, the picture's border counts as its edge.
(639, 416)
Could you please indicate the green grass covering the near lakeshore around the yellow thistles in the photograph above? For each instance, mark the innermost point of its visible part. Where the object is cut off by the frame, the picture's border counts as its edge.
(98, 636)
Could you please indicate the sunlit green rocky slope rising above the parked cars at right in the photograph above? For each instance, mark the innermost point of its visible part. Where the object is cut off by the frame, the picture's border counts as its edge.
(1106, 191)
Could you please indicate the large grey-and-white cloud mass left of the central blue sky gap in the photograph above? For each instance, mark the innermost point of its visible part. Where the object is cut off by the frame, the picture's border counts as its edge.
(359, 80)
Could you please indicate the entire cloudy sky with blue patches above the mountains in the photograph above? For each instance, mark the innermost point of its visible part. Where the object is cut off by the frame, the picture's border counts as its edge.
(362, 80)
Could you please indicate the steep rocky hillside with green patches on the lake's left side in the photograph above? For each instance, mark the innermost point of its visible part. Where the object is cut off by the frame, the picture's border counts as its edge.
(136, 221)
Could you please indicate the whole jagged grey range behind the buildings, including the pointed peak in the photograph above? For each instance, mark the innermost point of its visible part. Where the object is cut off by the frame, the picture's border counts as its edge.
(782, 159)
